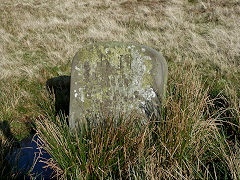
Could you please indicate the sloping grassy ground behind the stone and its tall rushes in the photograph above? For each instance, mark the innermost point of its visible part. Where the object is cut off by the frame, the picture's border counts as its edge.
(38, 40)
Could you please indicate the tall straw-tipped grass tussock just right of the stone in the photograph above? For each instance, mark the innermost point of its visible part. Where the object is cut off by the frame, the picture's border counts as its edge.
(189, 144)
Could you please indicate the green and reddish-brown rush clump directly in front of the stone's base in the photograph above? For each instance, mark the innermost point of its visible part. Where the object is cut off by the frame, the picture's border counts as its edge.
(102, 151)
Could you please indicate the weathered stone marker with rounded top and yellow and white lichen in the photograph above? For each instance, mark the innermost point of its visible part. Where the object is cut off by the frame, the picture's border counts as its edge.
(115, 77)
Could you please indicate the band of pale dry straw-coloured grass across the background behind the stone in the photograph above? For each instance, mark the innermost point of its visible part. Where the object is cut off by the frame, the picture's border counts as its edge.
(38, 33)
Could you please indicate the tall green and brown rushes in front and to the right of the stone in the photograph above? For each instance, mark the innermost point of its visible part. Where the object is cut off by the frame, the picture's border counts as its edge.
(186, 143)
